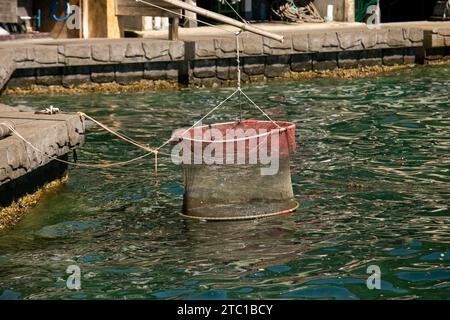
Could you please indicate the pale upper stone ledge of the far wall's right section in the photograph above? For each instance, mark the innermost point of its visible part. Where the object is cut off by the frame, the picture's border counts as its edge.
(311, 42)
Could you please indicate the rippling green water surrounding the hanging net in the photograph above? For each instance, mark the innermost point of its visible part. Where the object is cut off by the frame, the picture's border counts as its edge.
(371, 173)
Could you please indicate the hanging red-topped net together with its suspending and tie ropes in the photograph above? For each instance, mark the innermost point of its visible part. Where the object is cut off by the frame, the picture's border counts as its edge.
(213, 191)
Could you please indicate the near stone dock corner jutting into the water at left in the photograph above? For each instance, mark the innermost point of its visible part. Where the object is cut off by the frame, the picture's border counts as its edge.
(54, 135)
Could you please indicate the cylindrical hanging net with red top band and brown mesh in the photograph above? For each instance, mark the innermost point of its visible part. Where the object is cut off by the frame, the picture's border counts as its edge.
(254, 184)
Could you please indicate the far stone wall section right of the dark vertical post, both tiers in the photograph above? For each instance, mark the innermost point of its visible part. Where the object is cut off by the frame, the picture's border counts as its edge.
(213, 60)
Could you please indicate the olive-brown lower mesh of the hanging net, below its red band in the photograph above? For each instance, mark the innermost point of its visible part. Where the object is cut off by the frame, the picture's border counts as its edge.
(224, 192)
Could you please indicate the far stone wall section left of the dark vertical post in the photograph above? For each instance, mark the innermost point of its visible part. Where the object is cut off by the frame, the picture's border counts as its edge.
(121, 61)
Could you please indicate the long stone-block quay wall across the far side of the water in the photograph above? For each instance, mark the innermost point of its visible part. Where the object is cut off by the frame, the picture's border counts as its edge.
(206, 60)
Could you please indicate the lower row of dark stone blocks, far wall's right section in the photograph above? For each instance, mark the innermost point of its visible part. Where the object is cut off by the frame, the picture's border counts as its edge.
(210, 71)
